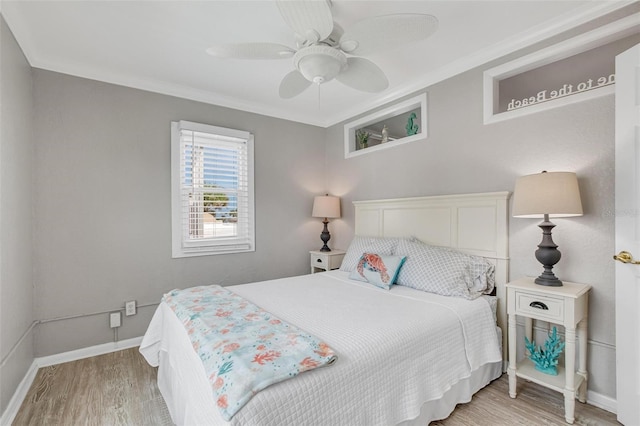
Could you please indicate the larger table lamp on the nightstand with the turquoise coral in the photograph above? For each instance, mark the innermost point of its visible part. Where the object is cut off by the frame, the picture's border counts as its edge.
(545, 195)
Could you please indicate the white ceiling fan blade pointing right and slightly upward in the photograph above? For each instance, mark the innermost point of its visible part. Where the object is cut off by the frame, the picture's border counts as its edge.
(387, 31)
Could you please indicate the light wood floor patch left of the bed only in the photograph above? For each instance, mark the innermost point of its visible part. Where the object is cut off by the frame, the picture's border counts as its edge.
(113, 389)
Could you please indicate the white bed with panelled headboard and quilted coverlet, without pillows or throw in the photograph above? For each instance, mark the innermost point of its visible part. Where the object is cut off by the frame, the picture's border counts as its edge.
(404, 356)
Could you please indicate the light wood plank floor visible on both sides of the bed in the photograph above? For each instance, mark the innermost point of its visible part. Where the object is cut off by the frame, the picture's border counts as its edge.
(120, 389)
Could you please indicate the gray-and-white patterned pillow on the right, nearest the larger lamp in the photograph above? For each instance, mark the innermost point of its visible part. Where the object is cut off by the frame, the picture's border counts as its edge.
(444, 271)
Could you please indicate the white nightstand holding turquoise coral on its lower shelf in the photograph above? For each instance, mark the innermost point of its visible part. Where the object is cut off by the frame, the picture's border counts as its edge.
(566, 306)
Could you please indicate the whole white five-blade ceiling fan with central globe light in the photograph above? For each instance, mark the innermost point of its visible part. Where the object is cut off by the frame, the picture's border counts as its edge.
(325, 51)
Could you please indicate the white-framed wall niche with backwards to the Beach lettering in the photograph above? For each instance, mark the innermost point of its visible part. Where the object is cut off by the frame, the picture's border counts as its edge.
(572, 71)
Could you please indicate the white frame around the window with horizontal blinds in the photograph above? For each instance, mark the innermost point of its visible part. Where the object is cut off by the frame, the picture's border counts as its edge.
(184, 247)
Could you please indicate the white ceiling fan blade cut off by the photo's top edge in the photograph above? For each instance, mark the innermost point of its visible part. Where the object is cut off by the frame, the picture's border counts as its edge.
(310, 19)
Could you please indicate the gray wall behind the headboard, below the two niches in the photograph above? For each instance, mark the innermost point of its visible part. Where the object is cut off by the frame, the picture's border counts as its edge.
(461, 155)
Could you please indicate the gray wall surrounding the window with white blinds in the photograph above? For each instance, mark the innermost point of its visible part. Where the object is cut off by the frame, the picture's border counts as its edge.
(103, 211)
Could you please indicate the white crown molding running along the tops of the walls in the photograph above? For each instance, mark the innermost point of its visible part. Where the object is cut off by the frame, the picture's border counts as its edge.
(539, 33)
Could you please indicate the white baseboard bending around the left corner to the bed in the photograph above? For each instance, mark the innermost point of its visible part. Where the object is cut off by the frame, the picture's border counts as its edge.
(21, 392)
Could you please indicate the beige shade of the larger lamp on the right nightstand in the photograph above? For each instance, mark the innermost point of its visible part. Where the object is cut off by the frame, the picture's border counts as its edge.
(553, 193)
